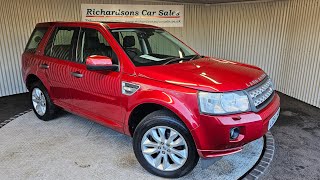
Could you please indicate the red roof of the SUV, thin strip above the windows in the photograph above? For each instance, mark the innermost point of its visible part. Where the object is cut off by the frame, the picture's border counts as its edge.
(110, 25)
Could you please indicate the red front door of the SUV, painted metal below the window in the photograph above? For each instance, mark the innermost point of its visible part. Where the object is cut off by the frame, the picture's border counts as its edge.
(97, 93)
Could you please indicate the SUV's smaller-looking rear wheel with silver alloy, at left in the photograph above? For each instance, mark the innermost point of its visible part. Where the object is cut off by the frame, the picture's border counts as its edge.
(38, 93)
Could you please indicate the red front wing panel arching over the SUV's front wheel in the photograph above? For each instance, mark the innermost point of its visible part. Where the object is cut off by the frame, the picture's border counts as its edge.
(167, 95)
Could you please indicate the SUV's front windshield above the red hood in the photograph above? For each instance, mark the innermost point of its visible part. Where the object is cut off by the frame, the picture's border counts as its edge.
(148, 47)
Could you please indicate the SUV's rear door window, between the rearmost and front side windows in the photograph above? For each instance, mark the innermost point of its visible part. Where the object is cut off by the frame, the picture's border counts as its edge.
(62, 43)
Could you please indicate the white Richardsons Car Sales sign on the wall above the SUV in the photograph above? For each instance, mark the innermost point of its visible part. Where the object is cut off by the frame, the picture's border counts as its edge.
(158, 15)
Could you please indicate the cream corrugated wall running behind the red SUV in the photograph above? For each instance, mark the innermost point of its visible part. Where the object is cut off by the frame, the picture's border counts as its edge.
(282, 37)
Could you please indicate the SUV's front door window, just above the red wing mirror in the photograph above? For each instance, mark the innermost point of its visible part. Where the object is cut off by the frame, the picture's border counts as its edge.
(93, 43)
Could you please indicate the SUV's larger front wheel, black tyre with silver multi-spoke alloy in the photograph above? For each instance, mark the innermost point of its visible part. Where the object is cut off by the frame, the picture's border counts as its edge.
(150, 148)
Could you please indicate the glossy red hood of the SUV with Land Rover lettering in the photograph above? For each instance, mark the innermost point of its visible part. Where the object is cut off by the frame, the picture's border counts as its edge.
(206, 74)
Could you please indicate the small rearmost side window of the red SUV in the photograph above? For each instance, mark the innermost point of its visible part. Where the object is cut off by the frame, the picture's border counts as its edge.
(35, 39)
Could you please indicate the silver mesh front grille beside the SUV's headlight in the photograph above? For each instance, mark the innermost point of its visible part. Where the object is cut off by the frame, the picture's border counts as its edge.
(261, 92)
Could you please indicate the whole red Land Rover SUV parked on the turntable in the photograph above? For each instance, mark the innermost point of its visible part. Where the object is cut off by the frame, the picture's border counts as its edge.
(141, 81)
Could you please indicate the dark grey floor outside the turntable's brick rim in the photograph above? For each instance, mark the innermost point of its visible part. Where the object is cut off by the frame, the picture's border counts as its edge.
(296, 133)
